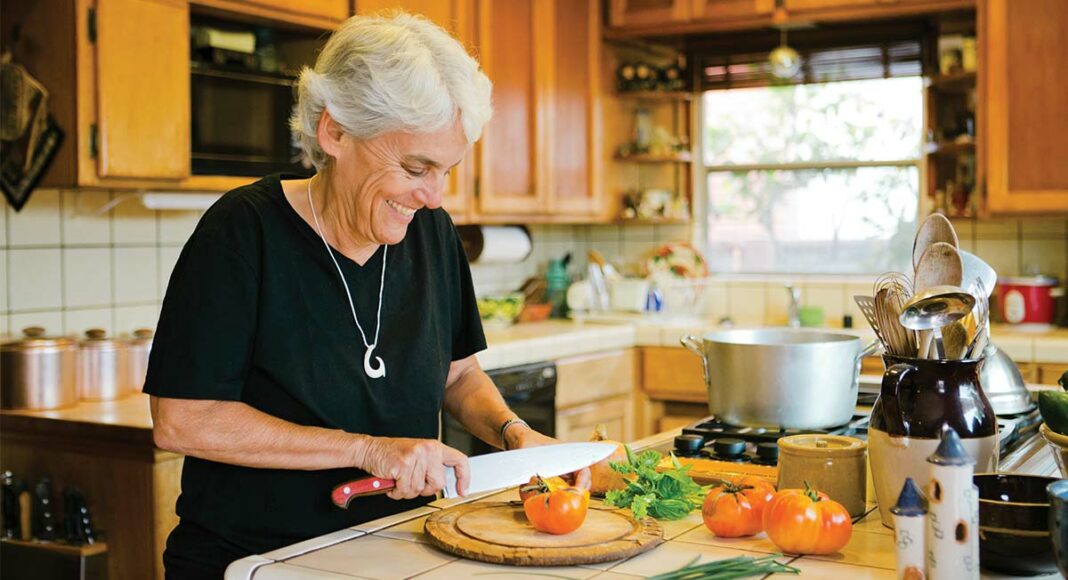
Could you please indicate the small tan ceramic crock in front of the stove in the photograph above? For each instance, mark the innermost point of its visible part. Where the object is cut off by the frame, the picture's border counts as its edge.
(834, 464)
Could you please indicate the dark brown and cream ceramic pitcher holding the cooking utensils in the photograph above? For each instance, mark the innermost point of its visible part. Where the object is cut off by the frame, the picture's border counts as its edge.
(918, 400)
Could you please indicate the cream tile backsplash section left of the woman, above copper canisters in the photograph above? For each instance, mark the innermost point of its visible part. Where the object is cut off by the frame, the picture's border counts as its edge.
(69, 264)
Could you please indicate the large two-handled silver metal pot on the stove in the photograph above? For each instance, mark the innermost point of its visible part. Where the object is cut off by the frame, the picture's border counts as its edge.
(778, 378)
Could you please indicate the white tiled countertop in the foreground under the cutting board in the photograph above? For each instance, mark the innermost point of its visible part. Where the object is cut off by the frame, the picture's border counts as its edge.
(397, 547)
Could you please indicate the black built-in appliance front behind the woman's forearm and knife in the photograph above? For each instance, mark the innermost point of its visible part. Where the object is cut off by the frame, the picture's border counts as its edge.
(529, 390)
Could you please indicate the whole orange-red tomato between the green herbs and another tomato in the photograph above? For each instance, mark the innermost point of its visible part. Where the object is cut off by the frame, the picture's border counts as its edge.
(736, 509)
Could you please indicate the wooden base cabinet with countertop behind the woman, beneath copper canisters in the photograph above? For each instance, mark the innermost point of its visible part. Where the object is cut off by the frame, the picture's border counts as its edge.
(107, 451)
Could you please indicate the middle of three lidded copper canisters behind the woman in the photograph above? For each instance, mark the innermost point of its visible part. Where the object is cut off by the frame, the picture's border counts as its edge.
(103, 368)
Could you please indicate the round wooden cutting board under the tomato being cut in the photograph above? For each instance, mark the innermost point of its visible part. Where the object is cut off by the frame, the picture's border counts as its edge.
(498, 532)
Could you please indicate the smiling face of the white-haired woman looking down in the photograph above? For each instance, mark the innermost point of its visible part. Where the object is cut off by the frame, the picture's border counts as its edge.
(381, 183)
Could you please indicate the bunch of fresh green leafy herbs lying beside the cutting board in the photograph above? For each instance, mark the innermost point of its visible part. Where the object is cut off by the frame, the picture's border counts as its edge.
(670, 495)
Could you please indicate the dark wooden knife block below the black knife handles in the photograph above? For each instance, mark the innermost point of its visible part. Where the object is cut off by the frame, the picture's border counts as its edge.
(48, 561)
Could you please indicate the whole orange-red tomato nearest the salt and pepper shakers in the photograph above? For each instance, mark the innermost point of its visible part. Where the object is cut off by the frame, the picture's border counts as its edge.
(807, 522)
